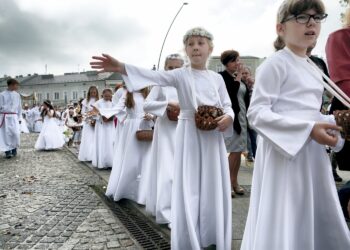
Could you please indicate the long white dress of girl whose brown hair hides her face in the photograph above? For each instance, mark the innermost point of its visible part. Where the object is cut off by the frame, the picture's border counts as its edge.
(127, 179)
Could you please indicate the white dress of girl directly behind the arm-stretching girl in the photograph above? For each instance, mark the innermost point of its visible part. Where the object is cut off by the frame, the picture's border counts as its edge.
(158, 202)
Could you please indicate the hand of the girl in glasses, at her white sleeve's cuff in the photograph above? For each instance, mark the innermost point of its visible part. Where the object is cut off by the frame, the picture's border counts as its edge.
(320, 133)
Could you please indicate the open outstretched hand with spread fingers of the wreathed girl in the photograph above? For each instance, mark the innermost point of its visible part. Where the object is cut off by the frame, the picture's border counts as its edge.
(106, 63)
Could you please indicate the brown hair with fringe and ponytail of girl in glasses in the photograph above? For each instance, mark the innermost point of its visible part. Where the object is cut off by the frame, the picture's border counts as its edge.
(294, 8)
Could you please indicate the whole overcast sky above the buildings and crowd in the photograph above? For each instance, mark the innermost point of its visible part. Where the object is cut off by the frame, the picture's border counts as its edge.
(58, 36)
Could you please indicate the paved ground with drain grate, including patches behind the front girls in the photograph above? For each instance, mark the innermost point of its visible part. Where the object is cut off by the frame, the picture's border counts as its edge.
(47, 201)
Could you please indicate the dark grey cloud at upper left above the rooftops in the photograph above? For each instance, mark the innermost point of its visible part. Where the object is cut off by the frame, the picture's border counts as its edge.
(26, 36)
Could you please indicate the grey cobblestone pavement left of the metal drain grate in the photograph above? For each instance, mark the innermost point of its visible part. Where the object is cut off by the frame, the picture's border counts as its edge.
(46, 203)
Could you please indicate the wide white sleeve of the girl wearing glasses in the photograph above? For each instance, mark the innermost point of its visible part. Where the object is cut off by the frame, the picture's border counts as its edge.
(287, 135)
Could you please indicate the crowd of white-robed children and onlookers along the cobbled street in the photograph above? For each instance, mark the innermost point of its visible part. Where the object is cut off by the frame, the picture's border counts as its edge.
(166, 156)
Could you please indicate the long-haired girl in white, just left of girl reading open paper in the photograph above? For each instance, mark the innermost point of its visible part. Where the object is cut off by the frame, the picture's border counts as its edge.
(86, 145)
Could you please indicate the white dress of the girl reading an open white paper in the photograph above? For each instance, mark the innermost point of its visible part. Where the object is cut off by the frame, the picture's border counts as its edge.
(102, 152)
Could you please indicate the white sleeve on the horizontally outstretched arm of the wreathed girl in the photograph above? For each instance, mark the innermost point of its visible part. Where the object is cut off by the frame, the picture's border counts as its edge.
(138, 78)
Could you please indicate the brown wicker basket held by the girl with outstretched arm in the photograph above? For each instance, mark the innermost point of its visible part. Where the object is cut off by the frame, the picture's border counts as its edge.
(206, 115)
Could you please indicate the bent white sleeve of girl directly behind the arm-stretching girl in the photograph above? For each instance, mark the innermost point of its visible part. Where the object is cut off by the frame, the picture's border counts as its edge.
(156, 102)
